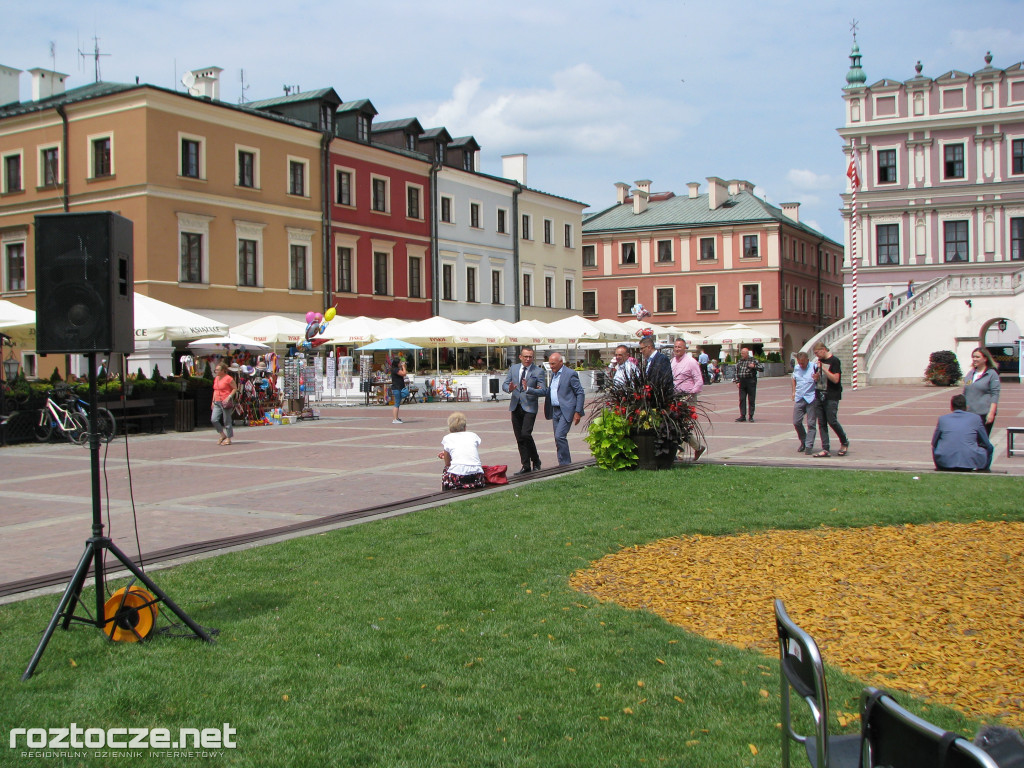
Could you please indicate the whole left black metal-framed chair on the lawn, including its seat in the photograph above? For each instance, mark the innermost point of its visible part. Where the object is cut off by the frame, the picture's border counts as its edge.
(803, 672)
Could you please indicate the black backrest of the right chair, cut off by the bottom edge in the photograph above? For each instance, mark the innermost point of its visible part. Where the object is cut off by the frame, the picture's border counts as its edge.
(897, 739)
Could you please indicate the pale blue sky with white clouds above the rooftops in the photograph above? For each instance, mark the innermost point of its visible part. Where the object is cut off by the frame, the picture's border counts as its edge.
(593, 93)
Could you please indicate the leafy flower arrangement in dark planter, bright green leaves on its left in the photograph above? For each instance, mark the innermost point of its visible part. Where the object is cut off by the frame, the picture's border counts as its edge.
(637, 416)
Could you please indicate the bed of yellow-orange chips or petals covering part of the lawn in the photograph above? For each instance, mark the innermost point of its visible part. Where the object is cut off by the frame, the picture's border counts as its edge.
(932, 610)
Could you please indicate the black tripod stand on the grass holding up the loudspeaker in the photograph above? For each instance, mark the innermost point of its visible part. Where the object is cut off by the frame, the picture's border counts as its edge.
(96, 547)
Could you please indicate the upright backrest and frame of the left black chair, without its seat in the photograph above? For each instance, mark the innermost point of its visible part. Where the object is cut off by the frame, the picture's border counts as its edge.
(802, 671)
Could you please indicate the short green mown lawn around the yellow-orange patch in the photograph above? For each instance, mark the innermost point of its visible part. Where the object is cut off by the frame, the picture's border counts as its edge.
(450, 637)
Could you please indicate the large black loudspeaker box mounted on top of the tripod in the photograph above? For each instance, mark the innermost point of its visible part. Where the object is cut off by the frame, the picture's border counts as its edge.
(86, 288)
